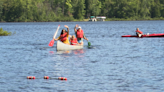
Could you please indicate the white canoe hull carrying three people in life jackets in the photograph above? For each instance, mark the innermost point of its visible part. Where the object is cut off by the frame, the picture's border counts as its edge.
(61, 46)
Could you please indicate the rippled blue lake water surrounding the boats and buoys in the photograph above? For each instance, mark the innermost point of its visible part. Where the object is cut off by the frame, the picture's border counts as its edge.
(113, 64)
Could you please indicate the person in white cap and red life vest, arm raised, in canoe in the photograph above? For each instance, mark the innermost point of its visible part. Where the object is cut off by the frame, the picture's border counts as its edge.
(80, 35)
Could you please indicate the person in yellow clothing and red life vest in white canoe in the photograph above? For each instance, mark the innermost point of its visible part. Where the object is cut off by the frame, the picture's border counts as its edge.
(64, 36)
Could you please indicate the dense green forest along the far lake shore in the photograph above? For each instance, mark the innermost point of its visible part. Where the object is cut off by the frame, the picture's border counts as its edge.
(71, 10)
